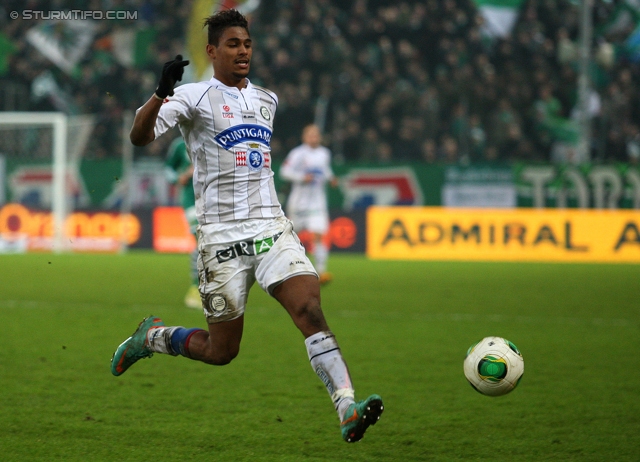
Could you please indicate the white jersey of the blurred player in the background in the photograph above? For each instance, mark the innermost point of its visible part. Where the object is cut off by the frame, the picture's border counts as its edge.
(311, 197)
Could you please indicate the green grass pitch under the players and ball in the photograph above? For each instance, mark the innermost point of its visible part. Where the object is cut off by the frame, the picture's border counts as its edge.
(404, 328)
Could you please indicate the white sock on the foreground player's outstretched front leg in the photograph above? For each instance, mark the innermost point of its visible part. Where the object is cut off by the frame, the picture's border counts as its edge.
(327, 362)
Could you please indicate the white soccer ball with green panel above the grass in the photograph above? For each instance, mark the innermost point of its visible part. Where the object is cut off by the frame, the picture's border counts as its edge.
(493, 366)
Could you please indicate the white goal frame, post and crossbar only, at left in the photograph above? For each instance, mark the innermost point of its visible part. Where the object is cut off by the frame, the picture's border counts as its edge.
(58, 121)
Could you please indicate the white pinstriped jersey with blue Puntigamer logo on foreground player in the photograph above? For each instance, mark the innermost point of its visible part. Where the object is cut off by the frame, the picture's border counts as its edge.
(228, 136)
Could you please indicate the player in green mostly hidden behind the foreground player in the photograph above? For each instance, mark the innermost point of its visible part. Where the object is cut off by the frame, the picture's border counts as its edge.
(179, 171)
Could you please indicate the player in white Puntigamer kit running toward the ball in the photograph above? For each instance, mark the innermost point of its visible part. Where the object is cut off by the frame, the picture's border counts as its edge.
(243, 235)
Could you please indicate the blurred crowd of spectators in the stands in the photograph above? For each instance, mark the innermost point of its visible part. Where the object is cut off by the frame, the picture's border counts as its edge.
(388, 81)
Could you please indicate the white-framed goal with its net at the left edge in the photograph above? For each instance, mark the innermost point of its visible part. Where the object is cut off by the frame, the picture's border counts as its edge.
(40, 184)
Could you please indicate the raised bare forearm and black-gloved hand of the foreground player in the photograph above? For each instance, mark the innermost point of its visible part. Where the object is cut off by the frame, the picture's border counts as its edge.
(142, 131)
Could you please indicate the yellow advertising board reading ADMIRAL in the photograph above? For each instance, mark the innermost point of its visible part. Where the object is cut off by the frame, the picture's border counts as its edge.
(554, 235)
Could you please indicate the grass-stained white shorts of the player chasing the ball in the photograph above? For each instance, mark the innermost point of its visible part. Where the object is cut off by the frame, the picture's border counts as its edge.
(228, 270)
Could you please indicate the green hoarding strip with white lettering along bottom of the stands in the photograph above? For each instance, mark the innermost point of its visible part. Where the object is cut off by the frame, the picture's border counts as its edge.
(98, 183)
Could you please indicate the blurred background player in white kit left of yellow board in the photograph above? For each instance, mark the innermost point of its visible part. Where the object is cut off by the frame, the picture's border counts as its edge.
(308, 167)
